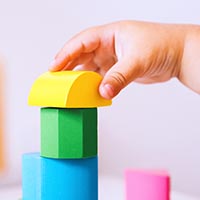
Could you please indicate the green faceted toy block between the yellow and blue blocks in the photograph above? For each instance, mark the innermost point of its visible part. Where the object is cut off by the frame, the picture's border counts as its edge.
(68, 133)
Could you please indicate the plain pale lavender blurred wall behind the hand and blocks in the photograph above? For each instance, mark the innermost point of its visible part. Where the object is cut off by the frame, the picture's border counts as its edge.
(154, 126)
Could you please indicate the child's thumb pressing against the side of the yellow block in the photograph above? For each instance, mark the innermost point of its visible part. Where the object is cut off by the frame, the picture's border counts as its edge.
(118, 77)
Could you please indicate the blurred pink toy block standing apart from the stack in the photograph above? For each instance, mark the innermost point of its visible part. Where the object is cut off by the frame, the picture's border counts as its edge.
(147, 185)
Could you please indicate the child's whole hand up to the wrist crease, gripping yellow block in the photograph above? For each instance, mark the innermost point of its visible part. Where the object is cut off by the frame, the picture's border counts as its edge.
(125, 51)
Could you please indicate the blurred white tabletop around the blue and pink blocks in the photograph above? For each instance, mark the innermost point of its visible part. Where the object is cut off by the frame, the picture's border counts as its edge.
(109, 189)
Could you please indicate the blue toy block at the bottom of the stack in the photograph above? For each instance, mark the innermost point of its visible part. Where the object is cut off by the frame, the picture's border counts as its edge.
(59, 179)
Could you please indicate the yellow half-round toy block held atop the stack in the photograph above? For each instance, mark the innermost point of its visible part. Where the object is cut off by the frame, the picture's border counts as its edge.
(67, 89)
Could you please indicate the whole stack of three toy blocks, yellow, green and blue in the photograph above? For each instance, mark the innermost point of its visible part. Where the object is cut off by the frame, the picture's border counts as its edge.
(67, 166)
